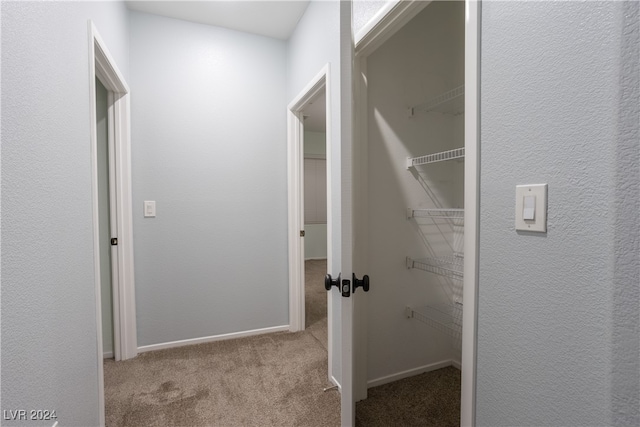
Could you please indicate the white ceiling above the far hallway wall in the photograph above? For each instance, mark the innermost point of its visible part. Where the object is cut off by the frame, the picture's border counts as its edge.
(275, 19)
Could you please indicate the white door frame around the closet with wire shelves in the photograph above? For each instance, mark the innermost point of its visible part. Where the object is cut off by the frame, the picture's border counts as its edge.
(389, 19)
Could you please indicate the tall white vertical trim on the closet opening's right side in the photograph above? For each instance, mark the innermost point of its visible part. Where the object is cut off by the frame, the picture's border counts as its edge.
(471, 211)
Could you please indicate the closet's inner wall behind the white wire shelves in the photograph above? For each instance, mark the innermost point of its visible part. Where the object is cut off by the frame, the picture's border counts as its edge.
(422, 60)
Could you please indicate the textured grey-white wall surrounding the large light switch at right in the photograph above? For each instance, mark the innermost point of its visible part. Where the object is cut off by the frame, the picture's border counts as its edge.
(558, 324)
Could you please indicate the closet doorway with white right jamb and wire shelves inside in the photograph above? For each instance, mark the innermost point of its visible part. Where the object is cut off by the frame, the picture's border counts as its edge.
(420, 207)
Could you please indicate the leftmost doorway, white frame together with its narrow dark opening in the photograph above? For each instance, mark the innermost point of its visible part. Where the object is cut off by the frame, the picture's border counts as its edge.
(103, 70)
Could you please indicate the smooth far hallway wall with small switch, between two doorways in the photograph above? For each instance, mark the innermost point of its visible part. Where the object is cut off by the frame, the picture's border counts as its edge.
(209, 146)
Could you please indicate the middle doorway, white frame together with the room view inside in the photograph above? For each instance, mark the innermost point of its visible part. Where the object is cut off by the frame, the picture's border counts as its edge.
(313, 102)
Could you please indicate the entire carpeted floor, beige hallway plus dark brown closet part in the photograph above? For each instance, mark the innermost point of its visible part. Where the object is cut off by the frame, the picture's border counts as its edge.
(266, 380)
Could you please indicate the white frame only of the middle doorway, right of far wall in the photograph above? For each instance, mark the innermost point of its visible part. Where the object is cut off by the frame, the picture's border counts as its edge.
(295, 171)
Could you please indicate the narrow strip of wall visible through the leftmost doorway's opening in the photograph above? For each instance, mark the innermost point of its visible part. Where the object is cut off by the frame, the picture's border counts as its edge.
(102, 151)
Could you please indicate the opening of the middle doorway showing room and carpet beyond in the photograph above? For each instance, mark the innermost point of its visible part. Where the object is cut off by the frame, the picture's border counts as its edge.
(315, 215)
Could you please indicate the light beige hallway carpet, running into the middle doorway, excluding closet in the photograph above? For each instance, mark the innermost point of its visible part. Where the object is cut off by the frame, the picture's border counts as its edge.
(267, 380)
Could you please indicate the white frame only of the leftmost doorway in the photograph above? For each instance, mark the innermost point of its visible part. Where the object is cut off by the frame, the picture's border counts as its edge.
(103, 66)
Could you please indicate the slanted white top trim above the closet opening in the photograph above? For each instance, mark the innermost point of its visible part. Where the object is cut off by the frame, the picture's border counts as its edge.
(385, 23)
